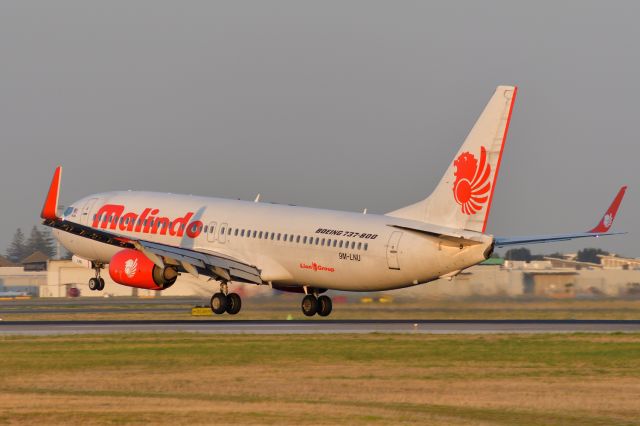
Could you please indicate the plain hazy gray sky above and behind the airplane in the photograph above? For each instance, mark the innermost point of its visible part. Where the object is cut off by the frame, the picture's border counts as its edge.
(335, 104)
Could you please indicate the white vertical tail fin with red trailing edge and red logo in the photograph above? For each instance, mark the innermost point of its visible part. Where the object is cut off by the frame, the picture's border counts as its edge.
(462, 199)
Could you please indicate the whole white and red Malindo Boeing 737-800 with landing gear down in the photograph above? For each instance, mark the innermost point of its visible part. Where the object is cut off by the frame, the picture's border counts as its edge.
(148, 239)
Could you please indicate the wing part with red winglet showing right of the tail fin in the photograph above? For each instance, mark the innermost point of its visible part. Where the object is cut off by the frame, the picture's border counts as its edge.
(600, 230)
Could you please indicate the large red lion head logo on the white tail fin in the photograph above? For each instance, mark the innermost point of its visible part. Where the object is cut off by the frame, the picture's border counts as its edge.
(471, 187)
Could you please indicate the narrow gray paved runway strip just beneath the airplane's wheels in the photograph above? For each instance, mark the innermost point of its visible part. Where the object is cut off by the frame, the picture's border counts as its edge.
(319, 326)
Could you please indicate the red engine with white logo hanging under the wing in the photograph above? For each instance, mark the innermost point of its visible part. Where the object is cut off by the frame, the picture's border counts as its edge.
(134, 269)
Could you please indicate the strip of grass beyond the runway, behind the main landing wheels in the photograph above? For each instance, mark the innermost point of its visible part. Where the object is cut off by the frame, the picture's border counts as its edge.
(282, 308)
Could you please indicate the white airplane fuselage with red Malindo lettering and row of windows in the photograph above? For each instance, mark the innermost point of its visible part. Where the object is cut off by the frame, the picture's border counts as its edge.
(291, 246)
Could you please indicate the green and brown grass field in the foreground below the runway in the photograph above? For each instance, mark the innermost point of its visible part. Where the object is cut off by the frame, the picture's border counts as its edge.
(190, 379)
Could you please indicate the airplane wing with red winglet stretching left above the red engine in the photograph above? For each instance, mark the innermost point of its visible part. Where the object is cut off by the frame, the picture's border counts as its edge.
(195, 262)
